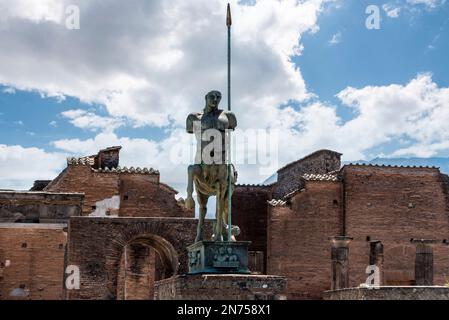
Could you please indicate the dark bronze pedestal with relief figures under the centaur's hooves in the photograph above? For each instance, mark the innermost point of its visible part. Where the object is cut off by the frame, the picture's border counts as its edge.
(218, 257)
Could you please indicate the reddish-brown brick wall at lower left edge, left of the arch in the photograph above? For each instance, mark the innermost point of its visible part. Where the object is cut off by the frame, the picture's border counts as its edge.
(33, 260)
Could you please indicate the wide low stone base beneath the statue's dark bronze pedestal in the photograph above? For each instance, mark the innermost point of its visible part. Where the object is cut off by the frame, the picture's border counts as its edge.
(221, 287)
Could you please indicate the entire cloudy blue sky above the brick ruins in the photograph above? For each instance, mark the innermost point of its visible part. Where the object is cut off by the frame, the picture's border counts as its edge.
(131, 75)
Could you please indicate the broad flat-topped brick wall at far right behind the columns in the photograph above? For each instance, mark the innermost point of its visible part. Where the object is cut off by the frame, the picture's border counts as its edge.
(394, 205)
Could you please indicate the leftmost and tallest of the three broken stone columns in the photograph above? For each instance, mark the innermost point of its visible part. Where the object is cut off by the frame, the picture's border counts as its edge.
(340, 262)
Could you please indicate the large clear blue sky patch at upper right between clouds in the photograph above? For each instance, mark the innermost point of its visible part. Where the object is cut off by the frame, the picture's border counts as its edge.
(393, 54)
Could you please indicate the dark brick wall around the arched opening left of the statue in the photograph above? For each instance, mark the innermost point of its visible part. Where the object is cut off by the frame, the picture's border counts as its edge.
(96, 246)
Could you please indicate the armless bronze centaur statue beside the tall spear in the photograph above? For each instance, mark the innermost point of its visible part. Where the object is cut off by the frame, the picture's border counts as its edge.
(210, 171)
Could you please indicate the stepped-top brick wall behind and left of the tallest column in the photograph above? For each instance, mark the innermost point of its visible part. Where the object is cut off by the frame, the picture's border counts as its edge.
(298, 248)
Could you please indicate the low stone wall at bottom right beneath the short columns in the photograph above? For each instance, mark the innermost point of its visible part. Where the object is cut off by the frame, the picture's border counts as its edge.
(390, 293)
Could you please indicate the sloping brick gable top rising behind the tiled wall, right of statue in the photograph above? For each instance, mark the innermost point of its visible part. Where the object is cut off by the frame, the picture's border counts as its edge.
(322, 161)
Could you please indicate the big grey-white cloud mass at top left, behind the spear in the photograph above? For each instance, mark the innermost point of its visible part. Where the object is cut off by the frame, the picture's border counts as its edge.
(153, 61)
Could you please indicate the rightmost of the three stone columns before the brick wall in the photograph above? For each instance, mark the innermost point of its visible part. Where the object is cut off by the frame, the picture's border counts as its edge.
(424, 261)
